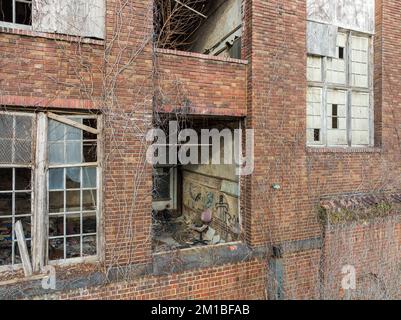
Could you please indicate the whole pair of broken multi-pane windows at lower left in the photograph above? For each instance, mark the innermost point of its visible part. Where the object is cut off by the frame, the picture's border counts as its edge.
(71, 189)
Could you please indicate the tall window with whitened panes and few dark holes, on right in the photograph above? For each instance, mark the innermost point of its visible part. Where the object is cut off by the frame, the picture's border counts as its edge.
(340, 93)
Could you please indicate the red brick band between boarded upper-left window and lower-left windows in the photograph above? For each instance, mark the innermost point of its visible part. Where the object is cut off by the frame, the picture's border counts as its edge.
(34, 66)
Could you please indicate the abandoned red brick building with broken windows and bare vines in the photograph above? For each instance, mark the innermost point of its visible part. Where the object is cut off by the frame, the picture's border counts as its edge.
(81, 84)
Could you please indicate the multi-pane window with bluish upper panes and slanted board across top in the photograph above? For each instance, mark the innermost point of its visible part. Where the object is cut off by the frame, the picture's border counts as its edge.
(72, 189)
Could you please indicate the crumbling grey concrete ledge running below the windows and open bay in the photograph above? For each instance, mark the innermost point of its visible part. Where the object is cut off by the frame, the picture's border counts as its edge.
(164, 263)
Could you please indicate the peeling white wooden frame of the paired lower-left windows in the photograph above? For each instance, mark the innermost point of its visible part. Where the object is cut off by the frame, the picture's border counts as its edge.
(39, 193)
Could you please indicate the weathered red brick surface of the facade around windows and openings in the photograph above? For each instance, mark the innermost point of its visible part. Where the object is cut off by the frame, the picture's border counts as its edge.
(270, 91)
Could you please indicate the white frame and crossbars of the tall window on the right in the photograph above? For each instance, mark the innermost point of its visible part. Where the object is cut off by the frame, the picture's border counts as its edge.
(325, 86)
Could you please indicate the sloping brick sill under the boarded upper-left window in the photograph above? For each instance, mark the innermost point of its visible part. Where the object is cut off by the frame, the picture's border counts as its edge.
(27, 31)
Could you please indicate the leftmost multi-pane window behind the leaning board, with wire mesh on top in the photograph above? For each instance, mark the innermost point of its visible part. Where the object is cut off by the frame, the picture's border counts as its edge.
(15, 183)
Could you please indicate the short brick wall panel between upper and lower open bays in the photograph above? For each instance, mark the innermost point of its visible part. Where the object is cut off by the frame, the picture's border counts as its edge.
(207, 85)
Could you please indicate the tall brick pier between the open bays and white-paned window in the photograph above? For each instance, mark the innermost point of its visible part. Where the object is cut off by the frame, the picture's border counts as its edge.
(277, 112)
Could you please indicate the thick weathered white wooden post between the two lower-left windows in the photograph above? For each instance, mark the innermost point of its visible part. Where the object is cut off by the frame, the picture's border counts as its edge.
(40, 200)
